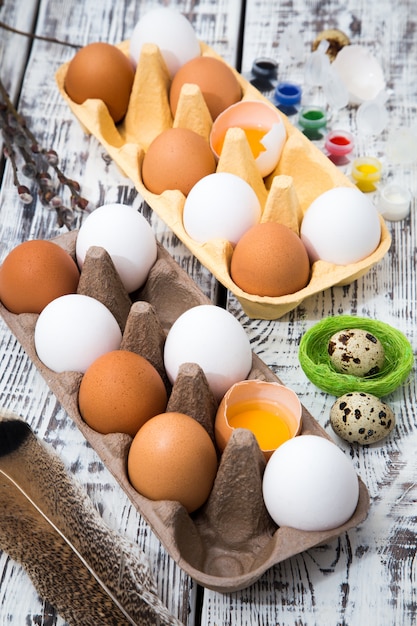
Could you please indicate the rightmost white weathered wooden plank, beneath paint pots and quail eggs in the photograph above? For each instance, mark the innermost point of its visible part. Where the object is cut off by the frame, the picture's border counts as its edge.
(365, 576)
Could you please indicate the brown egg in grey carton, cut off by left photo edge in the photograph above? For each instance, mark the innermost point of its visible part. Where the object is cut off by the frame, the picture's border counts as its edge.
(35, 273)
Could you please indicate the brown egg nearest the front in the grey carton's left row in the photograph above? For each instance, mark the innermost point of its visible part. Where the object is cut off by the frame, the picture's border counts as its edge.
(172, 457)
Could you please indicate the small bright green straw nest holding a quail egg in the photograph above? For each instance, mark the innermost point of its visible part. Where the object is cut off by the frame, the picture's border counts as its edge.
(315, 361)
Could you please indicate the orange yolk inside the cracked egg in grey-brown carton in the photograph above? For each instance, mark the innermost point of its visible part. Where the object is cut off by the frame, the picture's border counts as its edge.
(267, 421)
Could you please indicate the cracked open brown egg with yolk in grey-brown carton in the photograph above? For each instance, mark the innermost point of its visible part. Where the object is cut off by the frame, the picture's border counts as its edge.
(271, 411)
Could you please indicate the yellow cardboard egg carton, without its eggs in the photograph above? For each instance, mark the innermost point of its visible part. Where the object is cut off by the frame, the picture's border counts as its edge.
(302, 174)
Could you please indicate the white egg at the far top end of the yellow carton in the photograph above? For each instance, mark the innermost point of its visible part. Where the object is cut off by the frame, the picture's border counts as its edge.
(171, 31)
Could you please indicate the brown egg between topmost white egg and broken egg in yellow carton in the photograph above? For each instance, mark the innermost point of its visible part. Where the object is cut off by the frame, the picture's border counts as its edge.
(218, 84)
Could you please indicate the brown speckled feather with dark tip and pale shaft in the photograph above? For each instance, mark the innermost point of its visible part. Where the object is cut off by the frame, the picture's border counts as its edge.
(90, 574)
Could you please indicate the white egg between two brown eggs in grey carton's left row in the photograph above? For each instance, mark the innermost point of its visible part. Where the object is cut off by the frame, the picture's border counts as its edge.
(74, 330)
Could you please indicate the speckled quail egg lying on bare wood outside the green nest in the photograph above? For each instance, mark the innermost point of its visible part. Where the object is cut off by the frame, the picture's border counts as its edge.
(360, 417)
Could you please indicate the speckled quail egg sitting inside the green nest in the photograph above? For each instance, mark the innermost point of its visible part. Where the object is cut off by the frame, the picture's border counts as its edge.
(356, 351)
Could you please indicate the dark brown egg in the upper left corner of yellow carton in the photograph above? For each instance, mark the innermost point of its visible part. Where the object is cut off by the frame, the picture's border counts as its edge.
(102, 71)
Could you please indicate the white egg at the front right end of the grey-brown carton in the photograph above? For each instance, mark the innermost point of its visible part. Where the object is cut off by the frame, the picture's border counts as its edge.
(310, 484)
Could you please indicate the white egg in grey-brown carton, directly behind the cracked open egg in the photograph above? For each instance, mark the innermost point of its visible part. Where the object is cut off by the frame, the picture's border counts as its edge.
(211, 337)
